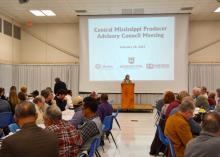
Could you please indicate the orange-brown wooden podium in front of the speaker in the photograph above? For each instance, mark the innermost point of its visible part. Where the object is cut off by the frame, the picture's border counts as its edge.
(127, 95)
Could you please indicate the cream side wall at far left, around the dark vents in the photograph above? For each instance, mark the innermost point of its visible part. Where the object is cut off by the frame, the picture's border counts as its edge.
(9, 46)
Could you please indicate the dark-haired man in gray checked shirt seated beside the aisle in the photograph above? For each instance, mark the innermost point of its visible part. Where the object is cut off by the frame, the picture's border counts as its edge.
(93, 125)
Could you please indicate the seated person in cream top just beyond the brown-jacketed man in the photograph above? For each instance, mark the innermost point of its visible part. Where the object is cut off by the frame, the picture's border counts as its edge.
(40, 107)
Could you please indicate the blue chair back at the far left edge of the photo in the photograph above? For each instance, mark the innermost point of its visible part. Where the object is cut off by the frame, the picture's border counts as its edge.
(6, 118)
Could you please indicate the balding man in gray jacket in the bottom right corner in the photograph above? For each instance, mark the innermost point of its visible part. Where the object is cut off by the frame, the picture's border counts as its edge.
(207, 143)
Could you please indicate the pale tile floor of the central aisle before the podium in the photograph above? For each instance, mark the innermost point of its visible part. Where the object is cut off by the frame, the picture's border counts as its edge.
(134, 138)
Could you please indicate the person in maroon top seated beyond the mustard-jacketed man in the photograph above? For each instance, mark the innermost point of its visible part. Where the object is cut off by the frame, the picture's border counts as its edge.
(176, 102)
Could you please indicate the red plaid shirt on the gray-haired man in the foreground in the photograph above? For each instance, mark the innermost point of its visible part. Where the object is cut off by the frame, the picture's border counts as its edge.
(70, 139)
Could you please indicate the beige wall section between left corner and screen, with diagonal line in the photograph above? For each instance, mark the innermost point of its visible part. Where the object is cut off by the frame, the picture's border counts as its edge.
(50, 43)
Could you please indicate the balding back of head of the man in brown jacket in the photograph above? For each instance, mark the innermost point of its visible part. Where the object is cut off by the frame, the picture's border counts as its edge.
(25, 109)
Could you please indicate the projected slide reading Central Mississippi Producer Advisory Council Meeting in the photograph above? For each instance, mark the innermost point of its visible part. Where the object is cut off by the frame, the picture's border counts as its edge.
(141, 47)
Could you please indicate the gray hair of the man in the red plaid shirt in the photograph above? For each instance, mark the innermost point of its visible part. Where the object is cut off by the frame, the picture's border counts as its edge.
(53, 113)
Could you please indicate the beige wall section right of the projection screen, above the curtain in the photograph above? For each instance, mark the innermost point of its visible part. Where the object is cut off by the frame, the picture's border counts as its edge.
(202, 38)
